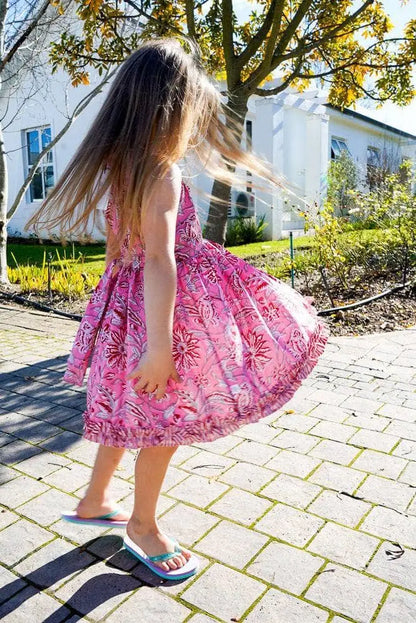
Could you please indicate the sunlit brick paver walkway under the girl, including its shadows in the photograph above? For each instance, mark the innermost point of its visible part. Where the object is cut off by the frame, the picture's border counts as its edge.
(306, 517)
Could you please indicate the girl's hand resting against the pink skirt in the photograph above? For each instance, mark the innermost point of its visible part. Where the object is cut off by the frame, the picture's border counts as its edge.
(153, 371)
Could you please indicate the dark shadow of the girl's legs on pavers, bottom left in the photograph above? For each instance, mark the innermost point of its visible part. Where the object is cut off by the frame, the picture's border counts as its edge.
(94, 591)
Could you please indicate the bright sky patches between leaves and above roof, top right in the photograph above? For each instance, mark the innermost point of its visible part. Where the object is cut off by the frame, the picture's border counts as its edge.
(400, 117)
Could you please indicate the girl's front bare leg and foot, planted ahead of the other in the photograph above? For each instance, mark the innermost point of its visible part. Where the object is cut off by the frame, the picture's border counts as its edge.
(151, 466)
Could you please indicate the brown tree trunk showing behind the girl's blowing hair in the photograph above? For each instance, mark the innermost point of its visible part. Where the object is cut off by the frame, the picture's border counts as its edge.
(216, 225)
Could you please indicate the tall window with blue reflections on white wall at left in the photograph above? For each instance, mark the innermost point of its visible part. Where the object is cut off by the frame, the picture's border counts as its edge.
(35, 141)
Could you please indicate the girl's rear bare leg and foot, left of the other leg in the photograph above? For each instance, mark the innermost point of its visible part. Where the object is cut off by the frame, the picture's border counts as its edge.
(97, 501)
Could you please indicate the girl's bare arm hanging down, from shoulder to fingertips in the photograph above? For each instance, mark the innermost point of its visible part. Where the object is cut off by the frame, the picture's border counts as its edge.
(158, 232)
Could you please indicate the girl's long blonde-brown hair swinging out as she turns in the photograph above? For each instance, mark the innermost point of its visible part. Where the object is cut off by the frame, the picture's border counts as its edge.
(161, 106)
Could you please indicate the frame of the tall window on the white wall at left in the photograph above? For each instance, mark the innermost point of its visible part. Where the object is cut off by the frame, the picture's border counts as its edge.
(48, 161)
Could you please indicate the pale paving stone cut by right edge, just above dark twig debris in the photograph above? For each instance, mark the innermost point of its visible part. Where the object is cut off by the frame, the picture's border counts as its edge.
(391, 525)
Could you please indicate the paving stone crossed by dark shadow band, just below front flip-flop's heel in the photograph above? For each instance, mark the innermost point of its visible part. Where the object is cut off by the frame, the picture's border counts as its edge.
(97, 590)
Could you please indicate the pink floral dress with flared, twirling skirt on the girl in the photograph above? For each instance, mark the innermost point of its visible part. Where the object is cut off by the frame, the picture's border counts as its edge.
(242, 343)
